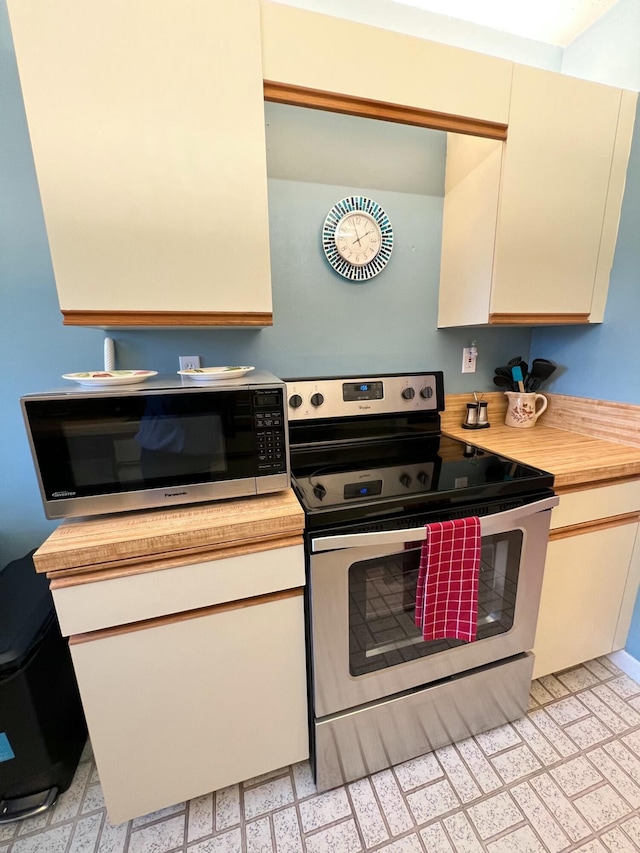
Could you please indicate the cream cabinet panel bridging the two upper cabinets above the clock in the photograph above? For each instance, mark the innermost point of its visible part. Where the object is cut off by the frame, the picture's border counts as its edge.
(333, 55)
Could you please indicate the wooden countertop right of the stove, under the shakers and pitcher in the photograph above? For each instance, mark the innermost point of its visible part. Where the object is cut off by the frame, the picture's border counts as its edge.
(575, 459)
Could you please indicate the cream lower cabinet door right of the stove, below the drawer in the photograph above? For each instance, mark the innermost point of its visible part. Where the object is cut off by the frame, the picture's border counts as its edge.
(585, 590)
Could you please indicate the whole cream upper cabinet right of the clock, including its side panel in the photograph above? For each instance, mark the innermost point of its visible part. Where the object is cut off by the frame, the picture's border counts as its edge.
(530, 224)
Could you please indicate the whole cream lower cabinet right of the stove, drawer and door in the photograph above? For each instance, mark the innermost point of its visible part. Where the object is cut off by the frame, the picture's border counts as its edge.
(591, 577)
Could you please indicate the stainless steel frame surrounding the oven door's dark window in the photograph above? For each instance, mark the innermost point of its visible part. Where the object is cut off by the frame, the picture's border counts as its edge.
(335, 690)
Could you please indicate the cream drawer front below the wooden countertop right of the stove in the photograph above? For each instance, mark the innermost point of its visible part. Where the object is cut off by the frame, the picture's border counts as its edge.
(591, 504)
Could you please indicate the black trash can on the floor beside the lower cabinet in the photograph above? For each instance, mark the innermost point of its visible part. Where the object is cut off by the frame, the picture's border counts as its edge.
(42, 725)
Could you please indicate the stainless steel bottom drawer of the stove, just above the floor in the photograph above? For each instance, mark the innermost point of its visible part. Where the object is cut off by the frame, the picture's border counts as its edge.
(367, 740)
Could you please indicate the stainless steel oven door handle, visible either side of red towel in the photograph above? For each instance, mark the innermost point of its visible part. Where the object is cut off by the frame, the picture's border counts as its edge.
(489, 525)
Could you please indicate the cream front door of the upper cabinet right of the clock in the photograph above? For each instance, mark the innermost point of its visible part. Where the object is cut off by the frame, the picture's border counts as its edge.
(553, 195)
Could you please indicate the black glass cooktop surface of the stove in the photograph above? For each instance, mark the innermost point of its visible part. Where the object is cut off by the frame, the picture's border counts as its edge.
(337, 484)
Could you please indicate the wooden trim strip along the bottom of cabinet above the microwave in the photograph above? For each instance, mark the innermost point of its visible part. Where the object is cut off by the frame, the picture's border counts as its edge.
(134, 319)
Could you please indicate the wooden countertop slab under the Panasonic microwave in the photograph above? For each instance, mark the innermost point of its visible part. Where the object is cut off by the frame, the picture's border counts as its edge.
(173, 536)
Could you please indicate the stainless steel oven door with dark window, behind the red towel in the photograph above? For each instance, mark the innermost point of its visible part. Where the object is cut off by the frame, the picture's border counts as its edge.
(365, 644)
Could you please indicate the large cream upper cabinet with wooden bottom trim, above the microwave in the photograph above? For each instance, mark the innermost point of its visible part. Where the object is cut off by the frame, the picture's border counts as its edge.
(147, 128)
